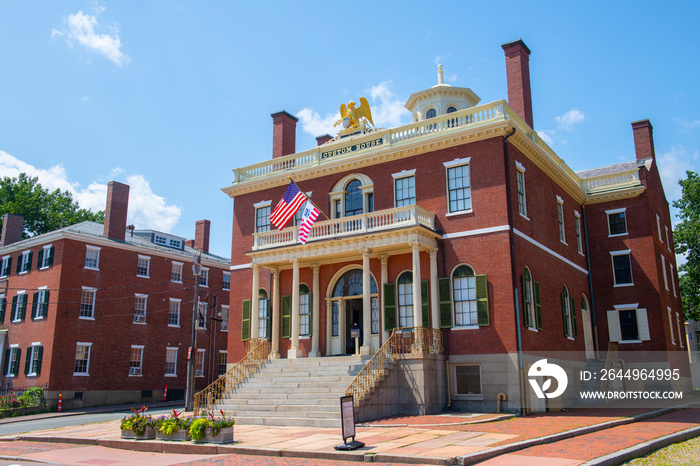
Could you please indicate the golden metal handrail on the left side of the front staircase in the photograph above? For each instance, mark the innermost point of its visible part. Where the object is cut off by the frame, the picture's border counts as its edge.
(258, 353)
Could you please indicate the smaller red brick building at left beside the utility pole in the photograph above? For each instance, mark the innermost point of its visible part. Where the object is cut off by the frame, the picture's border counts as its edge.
(103, 313)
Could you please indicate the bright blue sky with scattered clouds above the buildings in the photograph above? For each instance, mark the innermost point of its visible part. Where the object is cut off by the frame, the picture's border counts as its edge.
(170, 96)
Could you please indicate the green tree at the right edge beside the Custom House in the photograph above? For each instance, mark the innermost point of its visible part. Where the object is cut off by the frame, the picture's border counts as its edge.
(686, 236)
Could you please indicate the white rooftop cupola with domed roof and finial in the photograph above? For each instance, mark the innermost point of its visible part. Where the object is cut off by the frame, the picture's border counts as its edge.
(440, 99)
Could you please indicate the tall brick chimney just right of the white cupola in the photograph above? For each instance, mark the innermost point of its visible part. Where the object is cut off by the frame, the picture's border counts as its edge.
(518, 77)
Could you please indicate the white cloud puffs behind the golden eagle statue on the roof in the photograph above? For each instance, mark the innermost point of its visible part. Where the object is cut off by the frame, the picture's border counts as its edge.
(387, 112)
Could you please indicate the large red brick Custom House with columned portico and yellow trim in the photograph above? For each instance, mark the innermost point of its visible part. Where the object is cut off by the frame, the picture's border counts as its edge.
(515, 253)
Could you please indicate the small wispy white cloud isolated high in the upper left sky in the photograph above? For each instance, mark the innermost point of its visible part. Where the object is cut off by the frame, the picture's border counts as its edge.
(84, 29)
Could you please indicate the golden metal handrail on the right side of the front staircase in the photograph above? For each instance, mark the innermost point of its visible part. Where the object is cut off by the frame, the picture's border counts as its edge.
(404, 340)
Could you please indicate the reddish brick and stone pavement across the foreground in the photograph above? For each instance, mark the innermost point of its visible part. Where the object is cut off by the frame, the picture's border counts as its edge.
(566, 438)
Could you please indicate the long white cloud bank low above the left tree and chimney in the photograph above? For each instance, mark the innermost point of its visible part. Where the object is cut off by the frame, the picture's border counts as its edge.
(147, 210)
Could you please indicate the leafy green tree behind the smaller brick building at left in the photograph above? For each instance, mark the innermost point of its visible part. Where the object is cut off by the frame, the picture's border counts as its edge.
(43, 211)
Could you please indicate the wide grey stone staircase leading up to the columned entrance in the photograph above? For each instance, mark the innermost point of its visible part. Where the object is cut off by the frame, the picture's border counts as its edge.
(294, 392)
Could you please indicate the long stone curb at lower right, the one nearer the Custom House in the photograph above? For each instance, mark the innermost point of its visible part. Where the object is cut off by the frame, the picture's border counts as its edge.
(478, 457)
